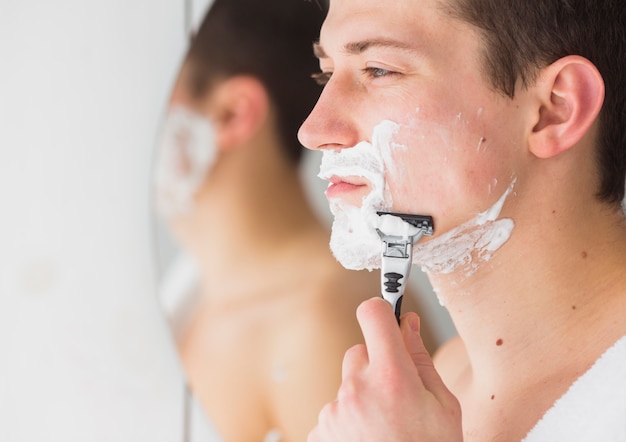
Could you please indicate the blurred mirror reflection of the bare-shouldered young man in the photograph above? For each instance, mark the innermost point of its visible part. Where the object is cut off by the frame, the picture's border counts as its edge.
(273, 312)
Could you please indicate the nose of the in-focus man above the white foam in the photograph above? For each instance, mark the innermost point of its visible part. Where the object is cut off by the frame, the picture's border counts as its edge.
(331, 123)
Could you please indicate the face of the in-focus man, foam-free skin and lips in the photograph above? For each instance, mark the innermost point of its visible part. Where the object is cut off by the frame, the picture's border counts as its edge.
(454, 141)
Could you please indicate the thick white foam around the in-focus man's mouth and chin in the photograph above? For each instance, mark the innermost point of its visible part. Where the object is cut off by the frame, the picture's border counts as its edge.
(354, 241)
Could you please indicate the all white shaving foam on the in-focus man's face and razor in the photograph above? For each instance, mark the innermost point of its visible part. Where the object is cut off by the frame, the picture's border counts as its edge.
(354, 241)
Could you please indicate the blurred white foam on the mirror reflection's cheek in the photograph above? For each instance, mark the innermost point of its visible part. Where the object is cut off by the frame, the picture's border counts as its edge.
(186, 152)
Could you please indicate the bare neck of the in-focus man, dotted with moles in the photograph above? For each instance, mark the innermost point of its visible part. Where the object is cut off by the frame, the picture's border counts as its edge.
(541, 295)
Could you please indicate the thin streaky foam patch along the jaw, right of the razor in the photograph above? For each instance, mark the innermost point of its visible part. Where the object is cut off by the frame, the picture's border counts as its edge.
(468, 245)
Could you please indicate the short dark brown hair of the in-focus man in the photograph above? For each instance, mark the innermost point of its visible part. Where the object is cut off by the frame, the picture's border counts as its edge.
(523, 36)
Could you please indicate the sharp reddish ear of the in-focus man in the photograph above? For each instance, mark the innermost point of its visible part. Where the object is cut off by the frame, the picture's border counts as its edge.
(570, 93)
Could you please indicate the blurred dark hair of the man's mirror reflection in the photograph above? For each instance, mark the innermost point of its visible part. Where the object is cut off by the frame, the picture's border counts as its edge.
(270, 40)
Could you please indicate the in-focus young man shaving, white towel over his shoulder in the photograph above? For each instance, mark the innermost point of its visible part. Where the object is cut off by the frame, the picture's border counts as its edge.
(505, 122)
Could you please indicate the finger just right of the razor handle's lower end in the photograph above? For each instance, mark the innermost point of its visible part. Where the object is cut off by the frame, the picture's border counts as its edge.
(410, 327)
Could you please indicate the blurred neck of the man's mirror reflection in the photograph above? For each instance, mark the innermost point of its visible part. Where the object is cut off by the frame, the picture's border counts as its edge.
(246, 219)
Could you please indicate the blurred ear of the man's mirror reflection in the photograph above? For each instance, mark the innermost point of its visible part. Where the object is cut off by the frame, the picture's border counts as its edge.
(239, 107)
